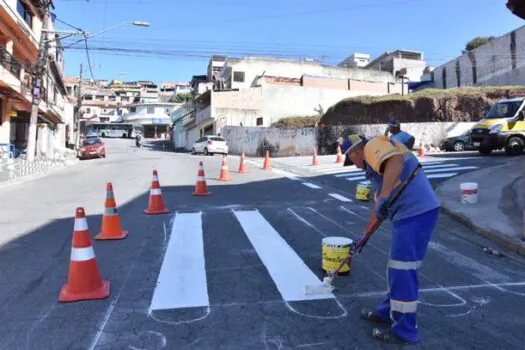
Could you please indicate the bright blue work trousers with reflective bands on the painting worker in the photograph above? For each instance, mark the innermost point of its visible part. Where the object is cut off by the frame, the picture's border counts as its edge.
(410, 238)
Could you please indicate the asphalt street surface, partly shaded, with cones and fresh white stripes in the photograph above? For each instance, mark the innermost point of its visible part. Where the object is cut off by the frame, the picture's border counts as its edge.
(227, 271)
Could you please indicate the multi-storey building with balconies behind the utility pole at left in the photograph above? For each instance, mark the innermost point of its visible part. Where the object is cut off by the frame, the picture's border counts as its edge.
(20, 31)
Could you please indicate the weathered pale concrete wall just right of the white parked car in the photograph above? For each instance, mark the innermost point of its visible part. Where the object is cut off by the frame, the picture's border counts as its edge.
(280, 142)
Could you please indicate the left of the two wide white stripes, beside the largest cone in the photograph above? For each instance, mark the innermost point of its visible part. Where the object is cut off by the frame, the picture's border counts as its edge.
(182, 278)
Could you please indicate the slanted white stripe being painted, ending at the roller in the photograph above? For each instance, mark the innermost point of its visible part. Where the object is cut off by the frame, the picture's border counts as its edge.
(286, 268)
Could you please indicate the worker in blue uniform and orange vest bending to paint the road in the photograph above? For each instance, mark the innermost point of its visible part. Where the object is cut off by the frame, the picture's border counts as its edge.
(414, 215)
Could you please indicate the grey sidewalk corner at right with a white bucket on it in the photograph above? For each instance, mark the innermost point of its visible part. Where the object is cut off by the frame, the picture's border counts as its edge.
(498, 215)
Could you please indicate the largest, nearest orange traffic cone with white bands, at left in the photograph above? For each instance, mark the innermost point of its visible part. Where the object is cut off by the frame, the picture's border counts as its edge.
(84, 281)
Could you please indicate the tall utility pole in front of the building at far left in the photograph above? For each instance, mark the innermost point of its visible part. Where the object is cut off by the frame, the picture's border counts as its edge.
(38, 81)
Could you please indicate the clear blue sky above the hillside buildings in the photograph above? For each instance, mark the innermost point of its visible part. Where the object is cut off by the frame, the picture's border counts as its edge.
(183, 34)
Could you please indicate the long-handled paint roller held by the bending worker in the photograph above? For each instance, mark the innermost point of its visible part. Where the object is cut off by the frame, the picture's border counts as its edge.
(327, 287)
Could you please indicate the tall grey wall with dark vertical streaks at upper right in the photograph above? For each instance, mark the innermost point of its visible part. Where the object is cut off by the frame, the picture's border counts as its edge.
(499, 62)
